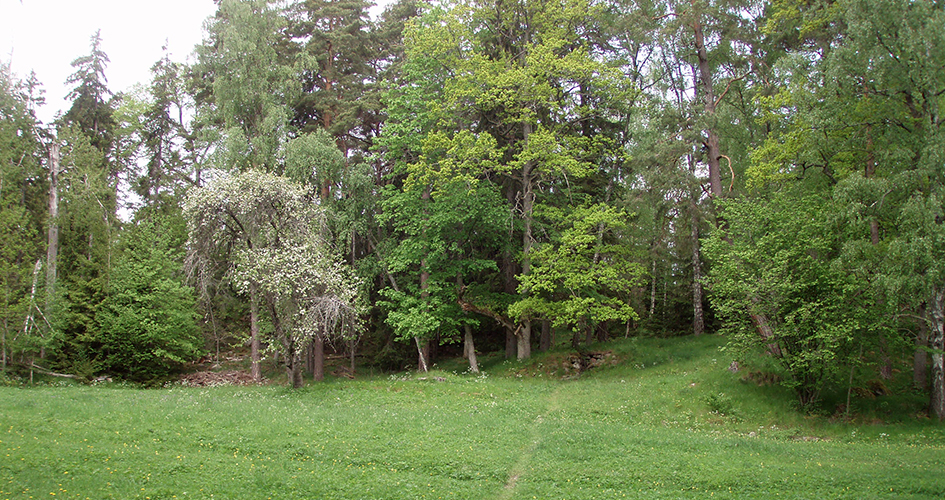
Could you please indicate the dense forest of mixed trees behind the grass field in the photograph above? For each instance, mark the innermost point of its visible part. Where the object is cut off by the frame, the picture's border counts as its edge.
(490, 175)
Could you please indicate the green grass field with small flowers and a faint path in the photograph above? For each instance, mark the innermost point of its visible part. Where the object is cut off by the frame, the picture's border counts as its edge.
(668, 421)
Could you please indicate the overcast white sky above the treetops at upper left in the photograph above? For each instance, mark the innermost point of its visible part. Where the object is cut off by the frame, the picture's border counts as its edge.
(47, 35)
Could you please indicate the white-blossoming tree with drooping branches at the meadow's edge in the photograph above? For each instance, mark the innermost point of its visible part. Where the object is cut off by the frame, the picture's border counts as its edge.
(265, 233)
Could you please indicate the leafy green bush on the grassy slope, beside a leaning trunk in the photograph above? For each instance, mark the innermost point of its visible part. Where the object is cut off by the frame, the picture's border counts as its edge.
(779, 264)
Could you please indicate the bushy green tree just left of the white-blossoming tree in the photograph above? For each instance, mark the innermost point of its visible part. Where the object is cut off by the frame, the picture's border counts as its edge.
(148, 321)
